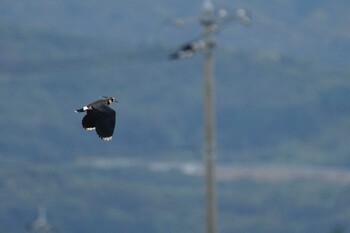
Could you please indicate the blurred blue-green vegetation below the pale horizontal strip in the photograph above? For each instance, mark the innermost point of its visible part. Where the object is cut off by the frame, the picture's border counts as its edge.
(137, 200)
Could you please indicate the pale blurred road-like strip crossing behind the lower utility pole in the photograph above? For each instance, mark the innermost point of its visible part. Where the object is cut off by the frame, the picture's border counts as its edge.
(227, 172)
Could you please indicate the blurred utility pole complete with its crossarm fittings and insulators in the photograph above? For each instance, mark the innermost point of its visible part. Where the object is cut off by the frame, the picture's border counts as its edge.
(206, 45)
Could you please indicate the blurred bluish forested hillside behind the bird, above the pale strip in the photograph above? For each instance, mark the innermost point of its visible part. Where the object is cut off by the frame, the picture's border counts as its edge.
(274, 107)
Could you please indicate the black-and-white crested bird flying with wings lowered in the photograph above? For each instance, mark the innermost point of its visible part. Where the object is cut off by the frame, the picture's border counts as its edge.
(100, 117)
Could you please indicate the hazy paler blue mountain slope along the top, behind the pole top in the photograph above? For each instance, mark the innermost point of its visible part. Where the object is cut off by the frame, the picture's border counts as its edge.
(314, 29)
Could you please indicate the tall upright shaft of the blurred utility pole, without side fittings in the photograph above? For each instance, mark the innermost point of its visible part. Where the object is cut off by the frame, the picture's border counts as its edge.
(208, 23)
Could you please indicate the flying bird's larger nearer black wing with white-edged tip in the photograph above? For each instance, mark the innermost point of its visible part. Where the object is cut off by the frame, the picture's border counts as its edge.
(105, 122)
